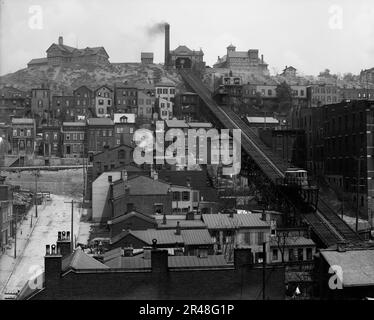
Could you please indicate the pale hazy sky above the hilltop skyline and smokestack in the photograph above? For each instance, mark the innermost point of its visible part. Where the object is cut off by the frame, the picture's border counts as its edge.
(310, 35)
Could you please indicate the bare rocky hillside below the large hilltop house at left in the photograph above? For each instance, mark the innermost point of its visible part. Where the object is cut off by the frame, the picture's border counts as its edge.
(65, 79)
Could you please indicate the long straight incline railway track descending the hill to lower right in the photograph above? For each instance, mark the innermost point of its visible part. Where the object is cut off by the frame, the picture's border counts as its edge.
(326, 224)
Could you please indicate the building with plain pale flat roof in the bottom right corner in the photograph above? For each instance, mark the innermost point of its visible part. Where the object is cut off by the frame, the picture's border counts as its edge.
(346, 273)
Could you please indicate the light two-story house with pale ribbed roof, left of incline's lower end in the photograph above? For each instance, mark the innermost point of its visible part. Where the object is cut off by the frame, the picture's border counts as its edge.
(249, 230)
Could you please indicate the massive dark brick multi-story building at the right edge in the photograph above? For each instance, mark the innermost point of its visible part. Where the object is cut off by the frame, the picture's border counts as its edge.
(348, 137)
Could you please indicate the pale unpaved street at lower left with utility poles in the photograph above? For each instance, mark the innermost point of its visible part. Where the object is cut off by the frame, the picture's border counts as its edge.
(53, 216)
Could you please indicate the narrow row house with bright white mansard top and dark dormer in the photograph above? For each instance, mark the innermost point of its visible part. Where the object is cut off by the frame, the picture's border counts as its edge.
(124, 128)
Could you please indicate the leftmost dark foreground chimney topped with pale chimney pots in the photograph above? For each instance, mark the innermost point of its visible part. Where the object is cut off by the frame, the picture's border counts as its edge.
(52, 266)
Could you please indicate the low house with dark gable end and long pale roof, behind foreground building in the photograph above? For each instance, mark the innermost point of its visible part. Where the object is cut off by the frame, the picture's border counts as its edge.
(189, 241)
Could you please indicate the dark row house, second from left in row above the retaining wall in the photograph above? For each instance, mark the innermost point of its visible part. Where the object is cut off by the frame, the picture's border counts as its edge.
(51, 140)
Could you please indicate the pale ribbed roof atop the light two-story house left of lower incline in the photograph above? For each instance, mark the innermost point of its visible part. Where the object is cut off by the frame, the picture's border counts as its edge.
(224, 221)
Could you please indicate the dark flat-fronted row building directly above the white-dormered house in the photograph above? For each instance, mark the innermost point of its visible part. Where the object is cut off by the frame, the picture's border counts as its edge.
(126, 98)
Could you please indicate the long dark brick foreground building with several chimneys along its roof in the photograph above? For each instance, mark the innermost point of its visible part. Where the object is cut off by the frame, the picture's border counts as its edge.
(152, 275)
